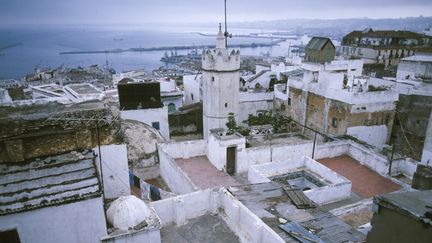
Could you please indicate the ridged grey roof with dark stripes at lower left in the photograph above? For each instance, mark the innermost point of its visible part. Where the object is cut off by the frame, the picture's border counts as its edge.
(47, 182)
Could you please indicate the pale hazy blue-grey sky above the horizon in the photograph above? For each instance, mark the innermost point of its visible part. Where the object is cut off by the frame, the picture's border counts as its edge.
(187, 11)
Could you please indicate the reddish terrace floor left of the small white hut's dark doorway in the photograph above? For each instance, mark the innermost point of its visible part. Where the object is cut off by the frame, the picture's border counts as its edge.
(203, 174)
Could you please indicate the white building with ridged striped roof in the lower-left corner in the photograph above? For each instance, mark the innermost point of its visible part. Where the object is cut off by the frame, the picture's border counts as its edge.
(57, 199)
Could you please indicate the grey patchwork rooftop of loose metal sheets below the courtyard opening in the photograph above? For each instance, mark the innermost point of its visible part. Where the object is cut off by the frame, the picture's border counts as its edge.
(270, 203)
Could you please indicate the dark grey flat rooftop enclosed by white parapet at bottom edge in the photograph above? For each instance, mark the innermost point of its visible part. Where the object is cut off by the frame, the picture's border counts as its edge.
(207, 228)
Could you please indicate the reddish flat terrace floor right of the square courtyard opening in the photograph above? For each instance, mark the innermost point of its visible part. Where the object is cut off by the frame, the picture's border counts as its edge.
(365, 182)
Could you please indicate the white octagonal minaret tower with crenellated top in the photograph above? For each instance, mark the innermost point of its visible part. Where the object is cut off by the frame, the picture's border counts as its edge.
(221, 77)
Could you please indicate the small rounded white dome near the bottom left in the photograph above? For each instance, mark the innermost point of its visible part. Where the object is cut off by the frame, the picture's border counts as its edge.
(127, 211)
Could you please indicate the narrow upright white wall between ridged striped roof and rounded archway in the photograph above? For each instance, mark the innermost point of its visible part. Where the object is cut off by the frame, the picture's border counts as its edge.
(115, 170)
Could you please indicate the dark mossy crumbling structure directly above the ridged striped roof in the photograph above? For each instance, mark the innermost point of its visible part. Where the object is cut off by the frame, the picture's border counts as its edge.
(31, 132)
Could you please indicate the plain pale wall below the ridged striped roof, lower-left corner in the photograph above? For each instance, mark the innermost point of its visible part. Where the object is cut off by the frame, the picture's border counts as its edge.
(82, 221)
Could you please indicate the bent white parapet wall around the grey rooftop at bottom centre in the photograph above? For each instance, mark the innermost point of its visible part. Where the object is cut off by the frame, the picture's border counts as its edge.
(245, 224)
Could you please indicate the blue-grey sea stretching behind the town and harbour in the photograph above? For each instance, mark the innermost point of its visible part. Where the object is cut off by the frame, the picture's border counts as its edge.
(26, 47)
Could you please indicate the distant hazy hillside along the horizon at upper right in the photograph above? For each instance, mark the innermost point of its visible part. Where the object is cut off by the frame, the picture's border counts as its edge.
(337, 28)
